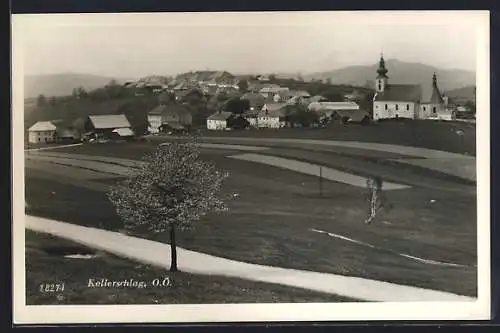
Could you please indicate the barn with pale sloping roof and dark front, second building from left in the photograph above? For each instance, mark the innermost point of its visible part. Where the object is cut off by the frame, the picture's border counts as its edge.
(108, 126)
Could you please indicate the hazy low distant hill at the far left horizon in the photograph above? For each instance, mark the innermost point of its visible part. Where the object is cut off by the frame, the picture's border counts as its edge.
(63, 84)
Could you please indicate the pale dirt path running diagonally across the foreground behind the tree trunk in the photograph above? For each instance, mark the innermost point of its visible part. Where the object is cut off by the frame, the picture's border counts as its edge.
(158, 254)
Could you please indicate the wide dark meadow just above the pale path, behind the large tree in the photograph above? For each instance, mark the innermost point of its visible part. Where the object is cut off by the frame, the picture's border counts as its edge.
(270, 224)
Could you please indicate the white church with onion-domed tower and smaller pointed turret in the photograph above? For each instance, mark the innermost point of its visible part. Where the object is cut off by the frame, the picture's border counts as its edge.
(393, 101)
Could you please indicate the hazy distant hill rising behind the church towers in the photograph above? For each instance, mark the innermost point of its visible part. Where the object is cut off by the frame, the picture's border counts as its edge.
(400, 73)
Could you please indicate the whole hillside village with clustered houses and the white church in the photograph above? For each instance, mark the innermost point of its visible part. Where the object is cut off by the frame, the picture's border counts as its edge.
(249, 103)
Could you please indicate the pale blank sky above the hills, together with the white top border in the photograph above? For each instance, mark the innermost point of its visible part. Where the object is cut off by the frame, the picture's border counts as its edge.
(136, 45)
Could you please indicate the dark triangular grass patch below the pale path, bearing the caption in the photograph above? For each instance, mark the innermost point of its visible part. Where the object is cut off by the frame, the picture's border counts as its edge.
(44, 264)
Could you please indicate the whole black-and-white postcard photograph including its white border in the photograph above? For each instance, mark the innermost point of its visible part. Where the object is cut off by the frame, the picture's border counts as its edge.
(251, 166)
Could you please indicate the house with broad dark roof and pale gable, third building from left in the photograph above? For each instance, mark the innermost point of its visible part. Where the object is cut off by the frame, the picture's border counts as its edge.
(169, 117)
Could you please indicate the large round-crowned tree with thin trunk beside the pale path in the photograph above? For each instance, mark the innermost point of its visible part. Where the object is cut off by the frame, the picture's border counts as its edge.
(171, 190)
